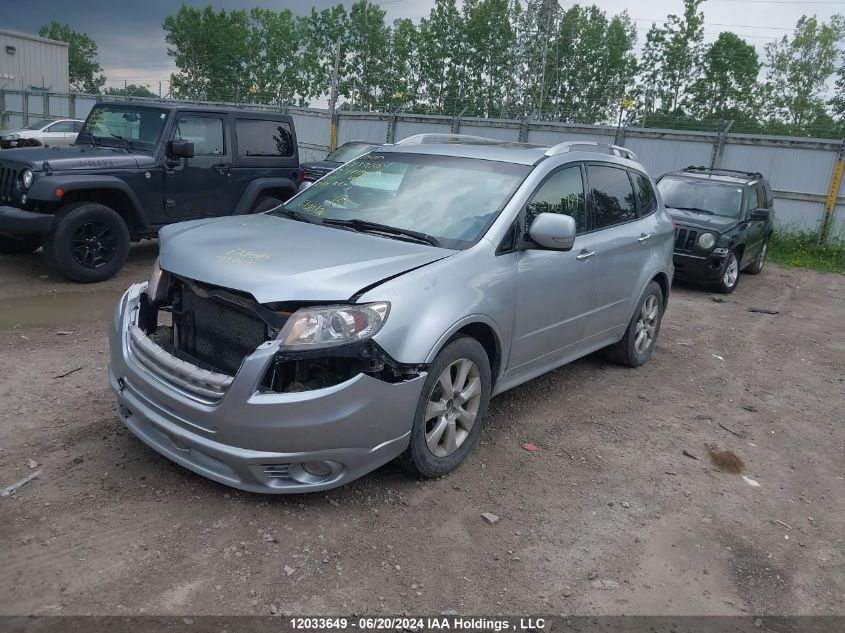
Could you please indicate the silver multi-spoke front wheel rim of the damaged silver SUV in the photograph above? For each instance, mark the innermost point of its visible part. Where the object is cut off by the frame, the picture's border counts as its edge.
(452, 407)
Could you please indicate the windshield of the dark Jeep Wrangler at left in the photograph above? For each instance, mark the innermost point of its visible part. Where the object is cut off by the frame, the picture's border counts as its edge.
(123, 126)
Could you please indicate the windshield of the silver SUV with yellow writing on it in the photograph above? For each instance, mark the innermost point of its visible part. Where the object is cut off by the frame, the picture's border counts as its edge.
(453, 200)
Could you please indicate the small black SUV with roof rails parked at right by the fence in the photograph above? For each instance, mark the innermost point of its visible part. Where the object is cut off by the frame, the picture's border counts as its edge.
(724, 221)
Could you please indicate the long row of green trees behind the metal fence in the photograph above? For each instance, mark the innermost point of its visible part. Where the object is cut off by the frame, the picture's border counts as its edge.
(517, 59)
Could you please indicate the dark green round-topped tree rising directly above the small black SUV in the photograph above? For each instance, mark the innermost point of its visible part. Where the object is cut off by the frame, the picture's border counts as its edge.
(727, 88)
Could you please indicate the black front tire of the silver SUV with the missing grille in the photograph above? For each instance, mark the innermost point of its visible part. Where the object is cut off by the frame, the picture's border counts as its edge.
(419, 458)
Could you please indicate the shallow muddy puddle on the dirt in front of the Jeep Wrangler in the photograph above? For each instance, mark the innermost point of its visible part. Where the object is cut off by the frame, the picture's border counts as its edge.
(60, 309)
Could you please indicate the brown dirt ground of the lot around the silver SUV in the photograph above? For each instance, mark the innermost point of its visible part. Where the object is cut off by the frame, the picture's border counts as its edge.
(607, 516)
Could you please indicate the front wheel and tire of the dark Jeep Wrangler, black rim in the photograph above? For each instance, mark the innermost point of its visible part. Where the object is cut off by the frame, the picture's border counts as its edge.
(89, 242)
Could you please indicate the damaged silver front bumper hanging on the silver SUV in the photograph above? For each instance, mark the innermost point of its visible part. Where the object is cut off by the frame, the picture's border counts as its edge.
(229, 430)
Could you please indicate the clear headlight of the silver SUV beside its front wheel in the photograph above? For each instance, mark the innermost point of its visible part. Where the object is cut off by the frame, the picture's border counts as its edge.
(333, 325)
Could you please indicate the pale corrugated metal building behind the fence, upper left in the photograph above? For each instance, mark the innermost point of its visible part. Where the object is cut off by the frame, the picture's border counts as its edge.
(32, 63)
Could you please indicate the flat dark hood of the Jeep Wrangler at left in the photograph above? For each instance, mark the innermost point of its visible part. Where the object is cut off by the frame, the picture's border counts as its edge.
(77, 157)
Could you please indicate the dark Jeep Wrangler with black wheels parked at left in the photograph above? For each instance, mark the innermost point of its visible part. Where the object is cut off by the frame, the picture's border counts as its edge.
(135, 168)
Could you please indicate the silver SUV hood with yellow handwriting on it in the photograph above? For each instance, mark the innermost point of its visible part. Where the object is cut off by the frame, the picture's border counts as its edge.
(277, 259)
